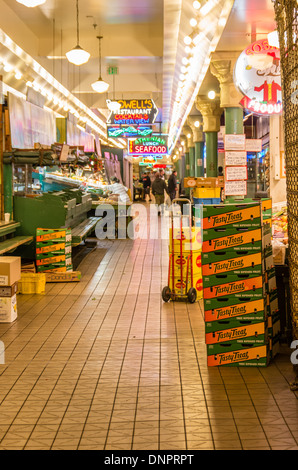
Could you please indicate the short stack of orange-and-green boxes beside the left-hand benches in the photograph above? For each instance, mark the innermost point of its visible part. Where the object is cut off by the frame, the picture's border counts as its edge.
(53, 250)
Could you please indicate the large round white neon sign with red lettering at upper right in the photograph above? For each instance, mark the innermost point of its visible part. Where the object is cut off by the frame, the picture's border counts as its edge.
(257, 76)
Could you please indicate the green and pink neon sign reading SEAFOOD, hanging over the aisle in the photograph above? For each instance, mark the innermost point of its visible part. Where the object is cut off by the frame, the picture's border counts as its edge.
(154, 145)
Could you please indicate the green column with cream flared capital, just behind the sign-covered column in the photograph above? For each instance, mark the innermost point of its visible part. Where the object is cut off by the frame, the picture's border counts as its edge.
(211, 113)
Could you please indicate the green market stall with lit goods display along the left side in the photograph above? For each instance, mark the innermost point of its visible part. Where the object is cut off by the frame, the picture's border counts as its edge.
(41, 191)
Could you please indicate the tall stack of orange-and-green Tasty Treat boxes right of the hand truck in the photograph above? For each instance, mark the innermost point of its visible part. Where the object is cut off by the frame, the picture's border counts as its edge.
(239, 287)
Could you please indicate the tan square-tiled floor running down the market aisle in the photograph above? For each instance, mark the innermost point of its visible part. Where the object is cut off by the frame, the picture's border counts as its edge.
(105, 364)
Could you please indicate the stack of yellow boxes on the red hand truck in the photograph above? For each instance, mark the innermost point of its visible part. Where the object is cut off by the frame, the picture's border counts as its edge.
(186, 241)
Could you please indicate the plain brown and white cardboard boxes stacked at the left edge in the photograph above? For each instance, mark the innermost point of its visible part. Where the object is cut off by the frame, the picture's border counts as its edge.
(10, 274)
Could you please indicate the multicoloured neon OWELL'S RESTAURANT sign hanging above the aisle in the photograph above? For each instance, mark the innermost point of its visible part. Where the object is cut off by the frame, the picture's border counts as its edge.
(132, 112)
